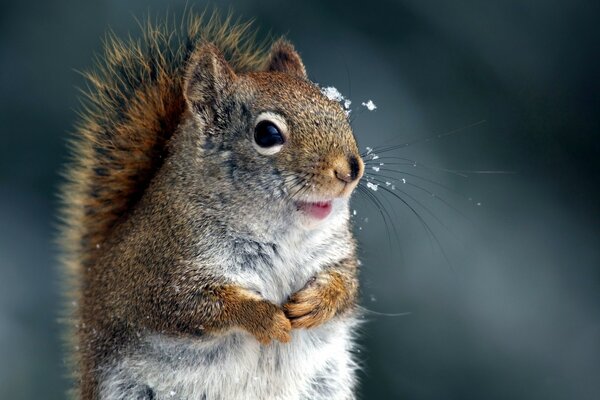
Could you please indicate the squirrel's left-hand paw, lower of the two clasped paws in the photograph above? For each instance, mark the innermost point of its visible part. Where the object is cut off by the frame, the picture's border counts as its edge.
(268, 322)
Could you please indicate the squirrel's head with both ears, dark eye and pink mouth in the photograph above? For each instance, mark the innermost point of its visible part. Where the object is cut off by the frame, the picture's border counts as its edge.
(288, 148)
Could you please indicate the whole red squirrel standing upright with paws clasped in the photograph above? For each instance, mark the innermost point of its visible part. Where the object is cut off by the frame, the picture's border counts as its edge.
(206, 228)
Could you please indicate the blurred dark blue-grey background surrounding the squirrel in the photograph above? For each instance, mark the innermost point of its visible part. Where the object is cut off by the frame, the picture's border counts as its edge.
(488, 288)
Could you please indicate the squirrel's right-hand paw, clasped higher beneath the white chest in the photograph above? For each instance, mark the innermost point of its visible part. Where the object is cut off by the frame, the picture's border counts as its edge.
(314, 304)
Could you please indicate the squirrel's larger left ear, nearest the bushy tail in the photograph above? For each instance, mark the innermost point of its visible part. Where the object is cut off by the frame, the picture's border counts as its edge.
(208, 77)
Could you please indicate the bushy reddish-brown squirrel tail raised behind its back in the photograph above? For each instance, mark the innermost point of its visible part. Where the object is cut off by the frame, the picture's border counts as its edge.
(131, 107)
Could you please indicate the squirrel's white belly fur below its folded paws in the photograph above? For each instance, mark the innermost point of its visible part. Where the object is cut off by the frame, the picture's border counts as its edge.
(315, 364)
